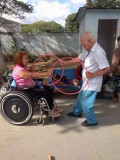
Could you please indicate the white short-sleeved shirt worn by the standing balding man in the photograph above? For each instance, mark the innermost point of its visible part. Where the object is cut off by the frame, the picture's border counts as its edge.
(95, 61)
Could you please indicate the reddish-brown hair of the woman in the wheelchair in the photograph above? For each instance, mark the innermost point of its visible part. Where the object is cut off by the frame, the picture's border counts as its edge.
(18, 57)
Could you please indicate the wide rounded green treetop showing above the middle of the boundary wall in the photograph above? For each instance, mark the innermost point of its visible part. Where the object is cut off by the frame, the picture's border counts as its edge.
(42, 26)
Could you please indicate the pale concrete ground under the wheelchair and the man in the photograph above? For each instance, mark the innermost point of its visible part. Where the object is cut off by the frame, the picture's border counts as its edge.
(64, 139)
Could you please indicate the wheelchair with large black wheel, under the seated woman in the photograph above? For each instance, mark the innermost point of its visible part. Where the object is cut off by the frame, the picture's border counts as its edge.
(18, 106)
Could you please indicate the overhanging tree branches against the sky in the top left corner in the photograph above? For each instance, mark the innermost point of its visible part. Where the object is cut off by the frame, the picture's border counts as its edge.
(15, 7)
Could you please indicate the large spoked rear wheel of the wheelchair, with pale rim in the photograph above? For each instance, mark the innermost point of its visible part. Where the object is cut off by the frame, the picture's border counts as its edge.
(16, 107)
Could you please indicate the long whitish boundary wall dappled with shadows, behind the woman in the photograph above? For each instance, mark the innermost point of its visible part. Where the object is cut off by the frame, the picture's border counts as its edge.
(63, 44)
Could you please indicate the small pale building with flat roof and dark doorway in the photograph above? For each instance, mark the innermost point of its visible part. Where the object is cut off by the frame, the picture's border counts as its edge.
(105, 25)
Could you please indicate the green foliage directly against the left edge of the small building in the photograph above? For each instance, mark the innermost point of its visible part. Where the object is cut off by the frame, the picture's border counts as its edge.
(70, 25)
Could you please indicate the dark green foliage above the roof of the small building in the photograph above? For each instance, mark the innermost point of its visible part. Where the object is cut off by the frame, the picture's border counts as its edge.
(112, 4)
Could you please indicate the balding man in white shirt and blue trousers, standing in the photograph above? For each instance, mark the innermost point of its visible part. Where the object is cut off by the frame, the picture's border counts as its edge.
(95, 66)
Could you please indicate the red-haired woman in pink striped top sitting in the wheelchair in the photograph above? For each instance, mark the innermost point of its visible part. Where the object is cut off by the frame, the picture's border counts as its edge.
(24, 78)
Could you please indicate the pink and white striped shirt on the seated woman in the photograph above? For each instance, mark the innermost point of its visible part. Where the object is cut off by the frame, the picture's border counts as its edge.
(21, 81)
